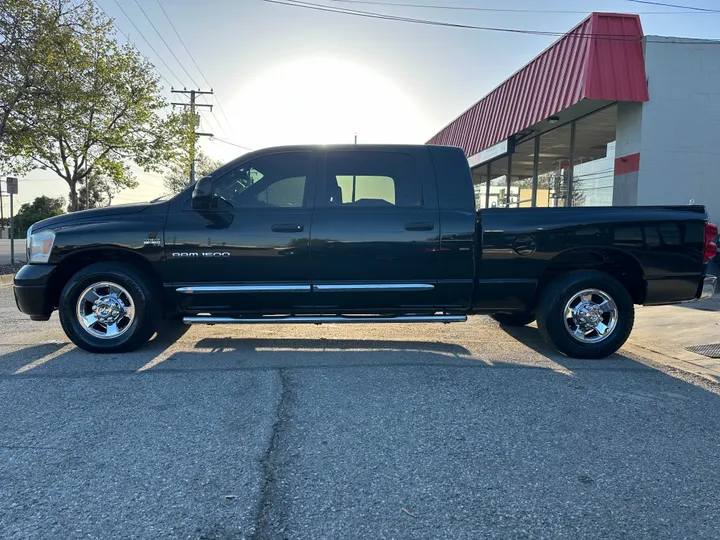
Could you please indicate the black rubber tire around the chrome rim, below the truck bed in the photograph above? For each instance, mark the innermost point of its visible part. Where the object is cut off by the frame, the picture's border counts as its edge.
(551, 316)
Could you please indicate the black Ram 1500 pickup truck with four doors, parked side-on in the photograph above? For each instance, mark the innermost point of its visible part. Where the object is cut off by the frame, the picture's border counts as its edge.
(359, 234)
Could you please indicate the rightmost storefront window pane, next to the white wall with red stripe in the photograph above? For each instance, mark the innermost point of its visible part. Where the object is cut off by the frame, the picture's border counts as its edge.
(594, 159)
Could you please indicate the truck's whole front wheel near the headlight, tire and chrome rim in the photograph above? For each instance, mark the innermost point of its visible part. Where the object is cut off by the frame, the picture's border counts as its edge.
(109, 308)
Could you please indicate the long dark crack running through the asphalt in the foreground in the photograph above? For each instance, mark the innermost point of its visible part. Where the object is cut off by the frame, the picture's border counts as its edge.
(266, 510)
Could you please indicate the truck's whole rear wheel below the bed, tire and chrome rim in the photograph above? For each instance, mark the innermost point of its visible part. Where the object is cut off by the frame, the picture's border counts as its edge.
(586, 314)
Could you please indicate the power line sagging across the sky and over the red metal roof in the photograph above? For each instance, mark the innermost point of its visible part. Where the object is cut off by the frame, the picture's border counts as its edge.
(382, 16)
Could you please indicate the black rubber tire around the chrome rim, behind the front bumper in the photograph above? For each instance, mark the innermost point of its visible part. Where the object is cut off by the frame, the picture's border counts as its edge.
(144, 298)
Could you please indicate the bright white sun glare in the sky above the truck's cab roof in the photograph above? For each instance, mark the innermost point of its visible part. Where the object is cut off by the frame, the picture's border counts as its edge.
(325, 101)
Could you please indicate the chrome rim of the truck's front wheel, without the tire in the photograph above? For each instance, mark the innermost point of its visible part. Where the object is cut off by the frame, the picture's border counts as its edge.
(105, 310)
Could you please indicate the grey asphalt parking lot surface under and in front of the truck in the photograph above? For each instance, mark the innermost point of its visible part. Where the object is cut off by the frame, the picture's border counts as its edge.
(421, 431)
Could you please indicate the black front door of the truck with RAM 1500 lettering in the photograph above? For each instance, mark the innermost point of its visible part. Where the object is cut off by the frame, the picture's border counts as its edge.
(250, 252)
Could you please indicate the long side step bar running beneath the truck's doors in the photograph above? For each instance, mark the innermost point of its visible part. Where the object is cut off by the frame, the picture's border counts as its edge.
(325, 320)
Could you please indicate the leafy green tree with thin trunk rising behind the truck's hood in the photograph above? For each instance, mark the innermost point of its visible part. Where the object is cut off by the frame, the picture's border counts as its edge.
(100, 110)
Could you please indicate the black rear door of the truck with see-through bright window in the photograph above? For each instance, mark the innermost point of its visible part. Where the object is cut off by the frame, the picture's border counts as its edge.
(375, 234)
